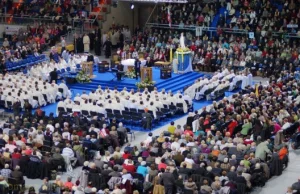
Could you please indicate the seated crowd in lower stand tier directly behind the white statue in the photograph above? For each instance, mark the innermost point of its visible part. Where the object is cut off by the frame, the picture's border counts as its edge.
(262, 55)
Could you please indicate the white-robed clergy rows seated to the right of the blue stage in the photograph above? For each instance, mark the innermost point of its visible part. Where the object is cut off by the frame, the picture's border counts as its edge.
(219, 81)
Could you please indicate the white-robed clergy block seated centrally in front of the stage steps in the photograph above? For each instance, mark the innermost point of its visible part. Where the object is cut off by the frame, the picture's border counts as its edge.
(100, 100)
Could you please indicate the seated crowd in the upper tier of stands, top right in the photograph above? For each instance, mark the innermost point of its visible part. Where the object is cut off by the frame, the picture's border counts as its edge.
(260, 17)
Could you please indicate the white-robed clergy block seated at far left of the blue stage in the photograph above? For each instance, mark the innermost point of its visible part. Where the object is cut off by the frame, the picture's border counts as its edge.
(38, 93)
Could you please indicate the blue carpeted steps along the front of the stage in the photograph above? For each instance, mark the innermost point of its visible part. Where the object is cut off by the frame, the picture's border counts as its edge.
(174, 84)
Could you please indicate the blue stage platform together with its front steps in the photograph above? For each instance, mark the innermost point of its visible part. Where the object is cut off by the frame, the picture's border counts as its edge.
(177, 82)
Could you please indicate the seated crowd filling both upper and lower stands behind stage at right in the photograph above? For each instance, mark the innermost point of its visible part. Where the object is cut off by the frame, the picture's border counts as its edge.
(265, 54)
